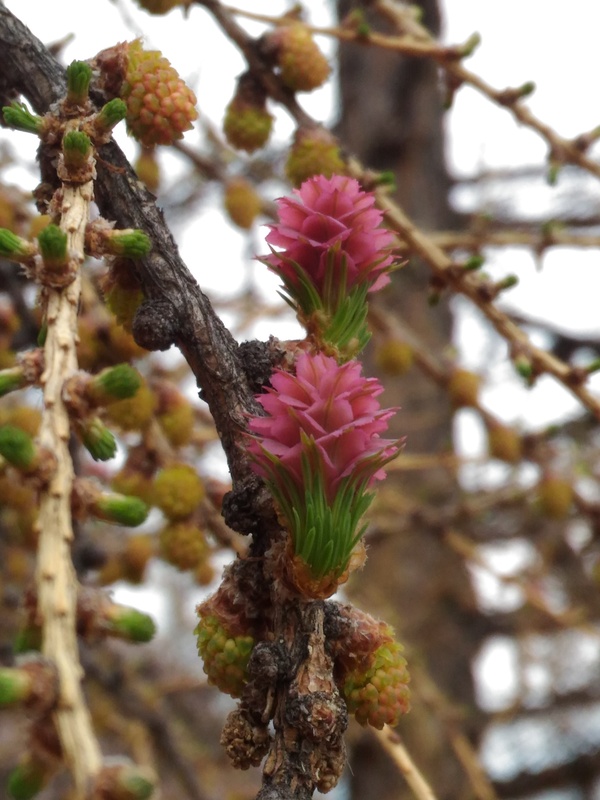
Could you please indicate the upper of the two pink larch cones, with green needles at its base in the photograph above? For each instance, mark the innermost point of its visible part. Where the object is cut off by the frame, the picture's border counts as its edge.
(333, 253)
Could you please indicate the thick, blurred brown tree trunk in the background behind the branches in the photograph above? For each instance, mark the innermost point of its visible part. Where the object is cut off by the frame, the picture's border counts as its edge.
(426, 592)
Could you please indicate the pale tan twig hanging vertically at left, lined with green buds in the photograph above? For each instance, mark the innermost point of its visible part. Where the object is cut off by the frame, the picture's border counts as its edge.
(56, 580)
